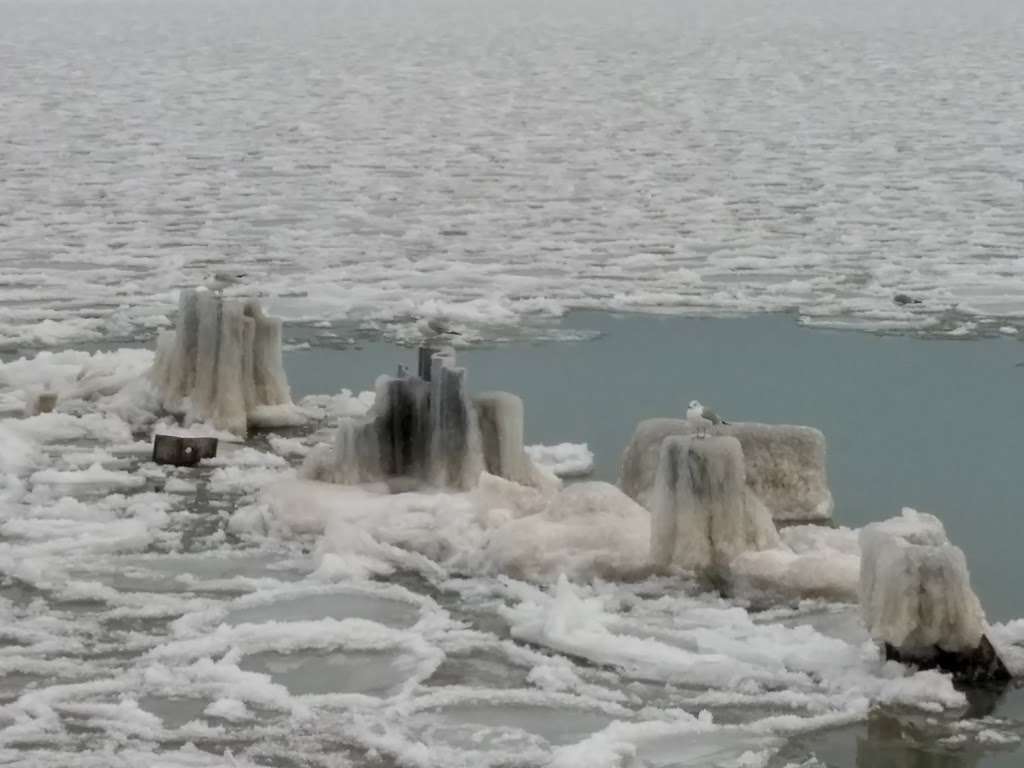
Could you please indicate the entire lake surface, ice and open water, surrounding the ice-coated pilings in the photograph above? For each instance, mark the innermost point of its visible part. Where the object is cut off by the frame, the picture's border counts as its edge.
(723, 174)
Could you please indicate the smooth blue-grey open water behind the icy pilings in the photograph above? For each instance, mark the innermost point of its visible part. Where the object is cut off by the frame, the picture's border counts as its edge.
(929, 423)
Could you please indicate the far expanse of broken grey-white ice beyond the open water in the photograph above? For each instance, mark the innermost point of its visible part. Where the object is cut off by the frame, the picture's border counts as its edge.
(502, 162)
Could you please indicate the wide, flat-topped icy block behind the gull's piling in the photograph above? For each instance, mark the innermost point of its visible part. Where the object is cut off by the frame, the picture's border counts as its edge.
(785, 465)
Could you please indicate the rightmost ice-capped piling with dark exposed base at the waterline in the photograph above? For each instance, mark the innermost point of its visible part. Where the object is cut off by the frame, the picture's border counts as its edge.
(917, 600)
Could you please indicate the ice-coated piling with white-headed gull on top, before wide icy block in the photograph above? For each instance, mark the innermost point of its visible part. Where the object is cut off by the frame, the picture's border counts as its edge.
(704, 515)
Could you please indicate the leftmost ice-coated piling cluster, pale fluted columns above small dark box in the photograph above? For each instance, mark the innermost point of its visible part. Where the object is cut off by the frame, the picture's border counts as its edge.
(223, 365)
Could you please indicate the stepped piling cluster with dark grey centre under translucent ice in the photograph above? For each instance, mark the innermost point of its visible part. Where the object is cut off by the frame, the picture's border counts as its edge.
(426, 429)
